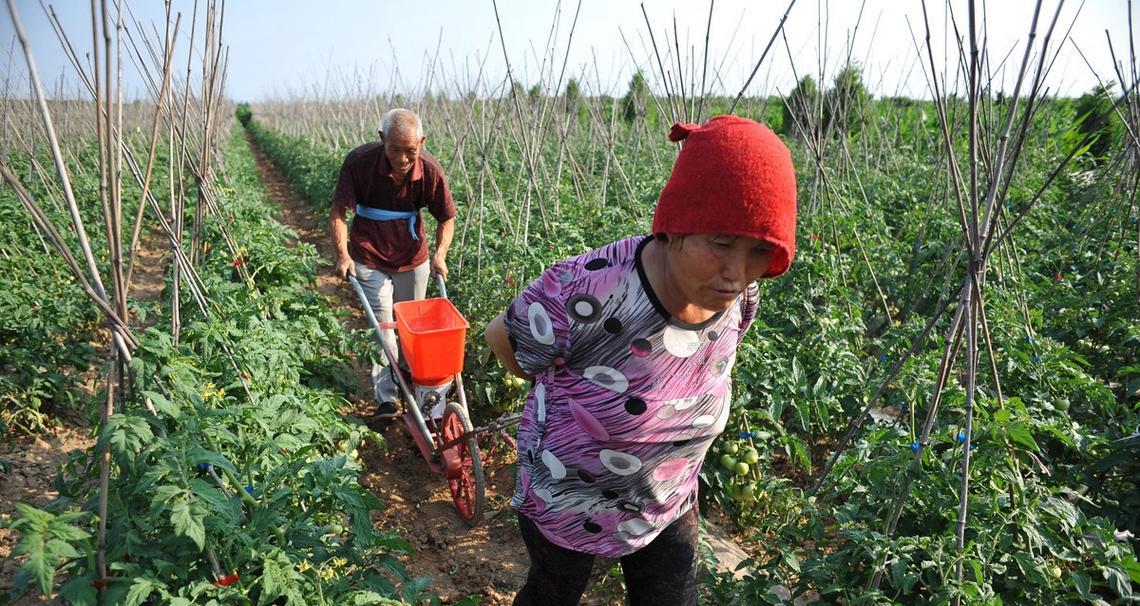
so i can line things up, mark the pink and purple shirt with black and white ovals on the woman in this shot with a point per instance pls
(625, 404)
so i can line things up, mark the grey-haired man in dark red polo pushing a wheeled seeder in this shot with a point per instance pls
(386, 184)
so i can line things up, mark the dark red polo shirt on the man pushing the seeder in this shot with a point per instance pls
(365, 179)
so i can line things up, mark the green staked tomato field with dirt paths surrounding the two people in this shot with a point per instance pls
(939, 404)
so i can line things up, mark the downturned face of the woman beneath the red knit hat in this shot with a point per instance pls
(711, 271)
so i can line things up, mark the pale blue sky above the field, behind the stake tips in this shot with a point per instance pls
(291, 47)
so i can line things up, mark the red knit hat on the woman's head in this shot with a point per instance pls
(734, 177)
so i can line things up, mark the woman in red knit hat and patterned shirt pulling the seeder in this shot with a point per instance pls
(631, 348)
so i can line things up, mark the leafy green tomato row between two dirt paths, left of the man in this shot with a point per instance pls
(242, 488)
